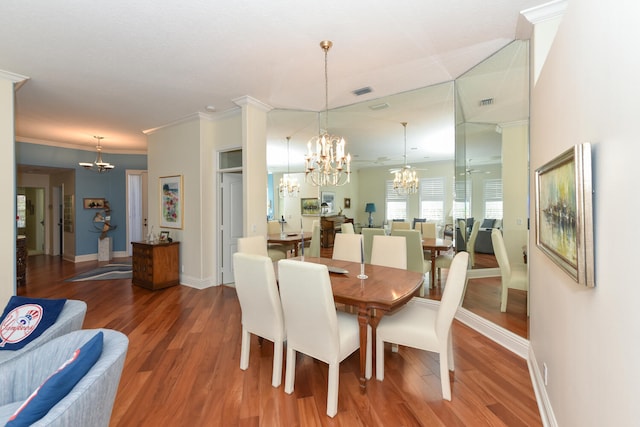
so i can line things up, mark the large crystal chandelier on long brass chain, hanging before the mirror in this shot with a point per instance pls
(328, 165)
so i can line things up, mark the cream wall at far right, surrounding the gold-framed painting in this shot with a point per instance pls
(588, 91)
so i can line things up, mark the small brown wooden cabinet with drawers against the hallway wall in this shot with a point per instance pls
(155, 265)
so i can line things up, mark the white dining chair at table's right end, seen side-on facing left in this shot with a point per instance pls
(426, 326)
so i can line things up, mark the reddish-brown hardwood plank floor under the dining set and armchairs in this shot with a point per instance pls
(182, 366)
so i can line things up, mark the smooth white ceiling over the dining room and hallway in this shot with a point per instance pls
(118, 68)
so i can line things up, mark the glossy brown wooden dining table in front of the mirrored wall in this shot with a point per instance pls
(384, 290)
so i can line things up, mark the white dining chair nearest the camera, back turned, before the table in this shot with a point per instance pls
(313, 325)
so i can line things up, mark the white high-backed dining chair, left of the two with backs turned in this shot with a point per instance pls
(257, 290)
